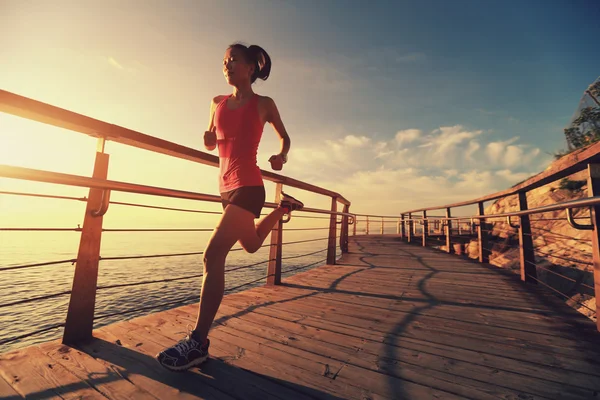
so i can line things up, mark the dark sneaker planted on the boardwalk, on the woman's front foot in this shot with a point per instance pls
(185, 354)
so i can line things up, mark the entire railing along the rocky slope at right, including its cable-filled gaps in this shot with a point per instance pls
(563, 258)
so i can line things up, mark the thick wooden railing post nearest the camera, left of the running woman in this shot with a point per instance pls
(80, 315)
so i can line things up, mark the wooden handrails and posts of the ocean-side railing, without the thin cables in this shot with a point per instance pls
(80, 317)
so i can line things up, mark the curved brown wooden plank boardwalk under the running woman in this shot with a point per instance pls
(390, 321)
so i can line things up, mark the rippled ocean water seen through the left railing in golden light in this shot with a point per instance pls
(21, 248)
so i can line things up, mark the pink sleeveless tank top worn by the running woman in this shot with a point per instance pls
(238, 135)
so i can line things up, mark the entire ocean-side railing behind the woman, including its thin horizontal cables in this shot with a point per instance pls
(81, 313)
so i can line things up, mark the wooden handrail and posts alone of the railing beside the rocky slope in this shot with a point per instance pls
(587, 159)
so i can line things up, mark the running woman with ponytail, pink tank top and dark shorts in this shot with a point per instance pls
(235, 127)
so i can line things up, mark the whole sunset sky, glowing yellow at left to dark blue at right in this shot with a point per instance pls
(393, 104)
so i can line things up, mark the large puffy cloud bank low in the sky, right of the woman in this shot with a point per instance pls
(415, 168)
